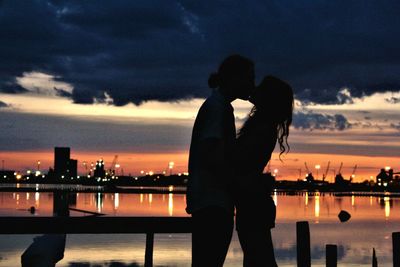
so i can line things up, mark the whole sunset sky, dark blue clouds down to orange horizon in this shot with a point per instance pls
(126, 78)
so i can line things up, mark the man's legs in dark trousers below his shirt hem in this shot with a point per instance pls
(212, 234)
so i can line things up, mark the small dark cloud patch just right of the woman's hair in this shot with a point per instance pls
(317, 121)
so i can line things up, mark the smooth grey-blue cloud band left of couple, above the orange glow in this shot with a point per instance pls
(46, 131)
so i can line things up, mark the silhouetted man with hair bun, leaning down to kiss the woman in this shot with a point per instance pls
(209, 199)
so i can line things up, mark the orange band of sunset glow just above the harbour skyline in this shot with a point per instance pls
(290, 168)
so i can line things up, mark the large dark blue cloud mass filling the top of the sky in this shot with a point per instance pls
(136, 51)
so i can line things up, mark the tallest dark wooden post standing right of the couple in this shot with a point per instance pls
(303, 244)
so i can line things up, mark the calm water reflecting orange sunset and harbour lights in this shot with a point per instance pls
(372, 222)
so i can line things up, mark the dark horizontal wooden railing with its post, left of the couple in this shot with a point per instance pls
(98, 225)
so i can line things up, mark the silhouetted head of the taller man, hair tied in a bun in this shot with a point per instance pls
(235, 77)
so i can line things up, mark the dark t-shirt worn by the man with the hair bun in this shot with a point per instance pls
(215, 120)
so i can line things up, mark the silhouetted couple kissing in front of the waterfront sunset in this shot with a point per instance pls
(226, 168)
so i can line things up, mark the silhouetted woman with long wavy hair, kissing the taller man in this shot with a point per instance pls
(267, 123)
